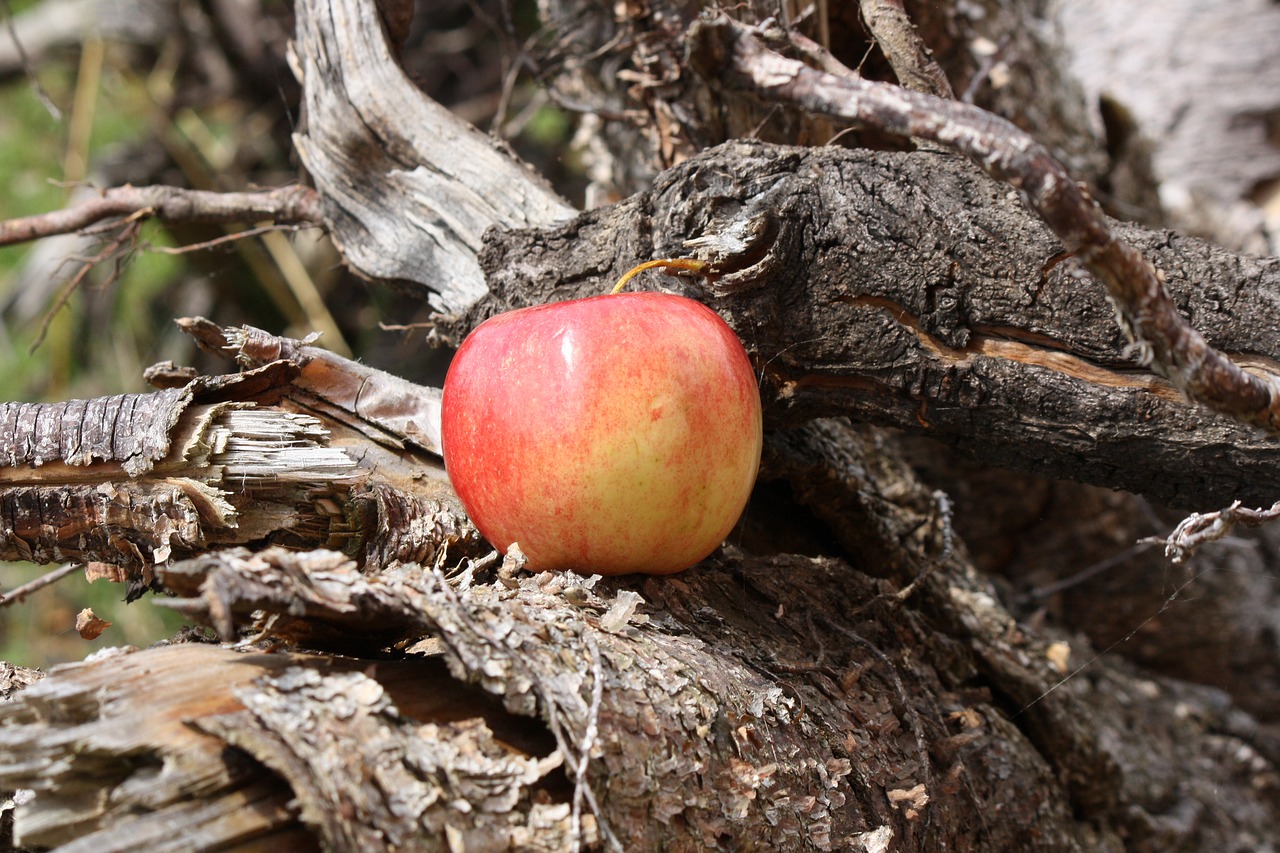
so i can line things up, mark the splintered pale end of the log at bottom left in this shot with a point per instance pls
(156, 729)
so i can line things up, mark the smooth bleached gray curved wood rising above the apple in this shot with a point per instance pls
(409, 188)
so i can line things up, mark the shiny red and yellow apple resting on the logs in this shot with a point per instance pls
(609, 435)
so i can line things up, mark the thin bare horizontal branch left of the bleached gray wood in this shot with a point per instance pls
(285, 206)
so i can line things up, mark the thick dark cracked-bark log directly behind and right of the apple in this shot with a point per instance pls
(911, 290)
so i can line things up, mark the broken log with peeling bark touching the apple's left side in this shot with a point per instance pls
(303, 448)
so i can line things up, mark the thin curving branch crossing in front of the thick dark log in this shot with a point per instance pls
(1160, 336)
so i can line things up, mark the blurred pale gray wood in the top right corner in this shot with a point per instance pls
(1200, 90)
